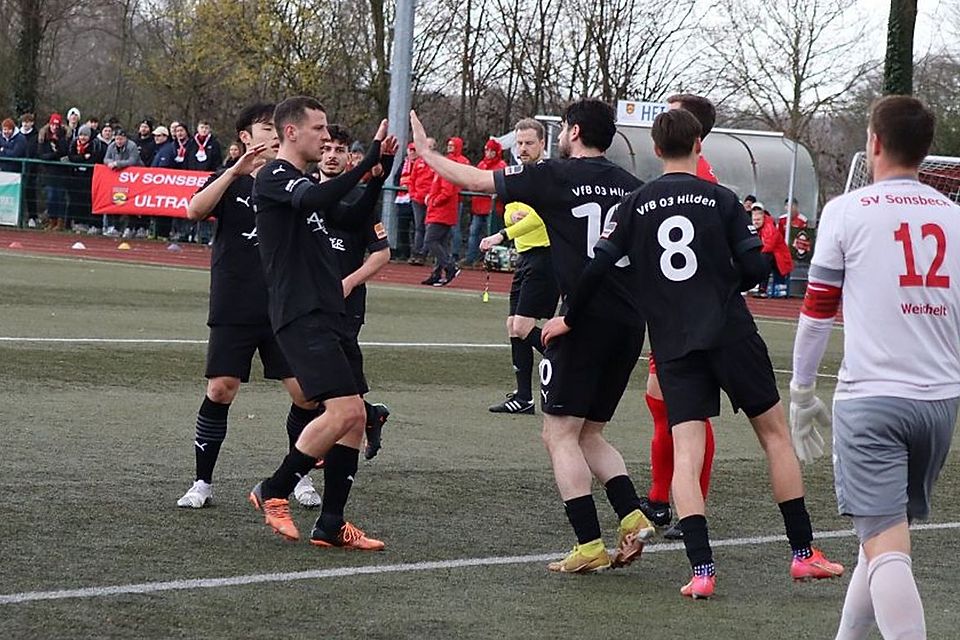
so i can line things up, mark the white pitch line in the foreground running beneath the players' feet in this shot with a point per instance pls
(413, 567)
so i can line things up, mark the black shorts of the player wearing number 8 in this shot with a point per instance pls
(691, 384)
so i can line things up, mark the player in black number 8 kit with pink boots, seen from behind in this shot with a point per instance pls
(694, 249)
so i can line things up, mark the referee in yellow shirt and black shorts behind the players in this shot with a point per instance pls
(534, 292)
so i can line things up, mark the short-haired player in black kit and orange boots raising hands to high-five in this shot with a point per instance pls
(306, 304)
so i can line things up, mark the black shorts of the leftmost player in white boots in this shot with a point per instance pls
(230, 352)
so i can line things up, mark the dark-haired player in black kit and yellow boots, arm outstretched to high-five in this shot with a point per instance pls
(582, 377)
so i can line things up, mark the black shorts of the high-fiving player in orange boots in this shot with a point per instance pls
(313, 345)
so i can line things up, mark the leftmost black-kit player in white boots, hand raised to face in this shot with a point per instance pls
(238, 320)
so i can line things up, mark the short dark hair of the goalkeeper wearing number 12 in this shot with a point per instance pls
(904, 126)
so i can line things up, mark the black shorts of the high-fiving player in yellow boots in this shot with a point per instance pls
(585, 372)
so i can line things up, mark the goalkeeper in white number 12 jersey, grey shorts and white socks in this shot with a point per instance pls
(891, 252)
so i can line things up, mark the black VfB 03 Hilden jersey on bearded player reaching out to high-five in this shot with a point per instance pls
(576, 197)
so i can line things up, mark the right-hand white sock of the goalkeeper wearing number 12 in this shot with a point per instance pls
(896, 601)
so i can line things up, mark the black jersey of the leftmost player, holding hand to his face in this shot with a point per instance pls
(238, 291)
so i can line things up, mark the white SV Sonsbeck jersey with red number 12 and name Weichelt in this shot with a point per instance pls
(894, 249)
